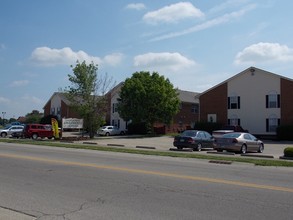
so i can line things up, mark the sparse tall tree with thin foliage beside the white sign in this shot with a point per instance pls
(87, 95)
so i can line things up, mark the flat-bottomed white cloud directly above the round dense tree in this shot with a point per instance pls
(163, 62)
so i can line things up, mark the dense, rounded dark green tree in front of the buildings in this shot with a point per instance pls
(148, 98)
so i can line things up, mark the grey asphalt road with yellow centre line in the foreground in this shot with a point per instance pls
(54, 183)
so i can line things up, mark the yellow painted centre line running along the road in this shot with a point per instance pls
(130, 170)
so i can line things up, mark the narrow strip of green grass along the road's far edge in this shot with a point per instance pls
(258, 161)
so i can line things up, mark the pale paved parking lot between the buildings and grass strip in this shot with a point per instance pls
(273, 149)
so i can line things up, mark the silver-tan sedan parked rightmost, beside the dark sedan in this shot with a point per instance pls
(240, 142)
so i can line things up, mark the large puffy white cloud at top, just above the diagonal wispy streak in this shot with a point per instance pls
(173, 13)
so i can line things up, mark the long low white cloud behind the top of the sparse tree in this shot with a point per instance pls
(66, 56)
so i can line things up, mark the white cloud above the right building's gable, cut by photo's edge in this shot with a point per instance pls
(264, 52)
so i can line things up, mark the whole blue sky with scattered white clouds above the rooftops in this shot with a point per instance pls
(195, 44)
